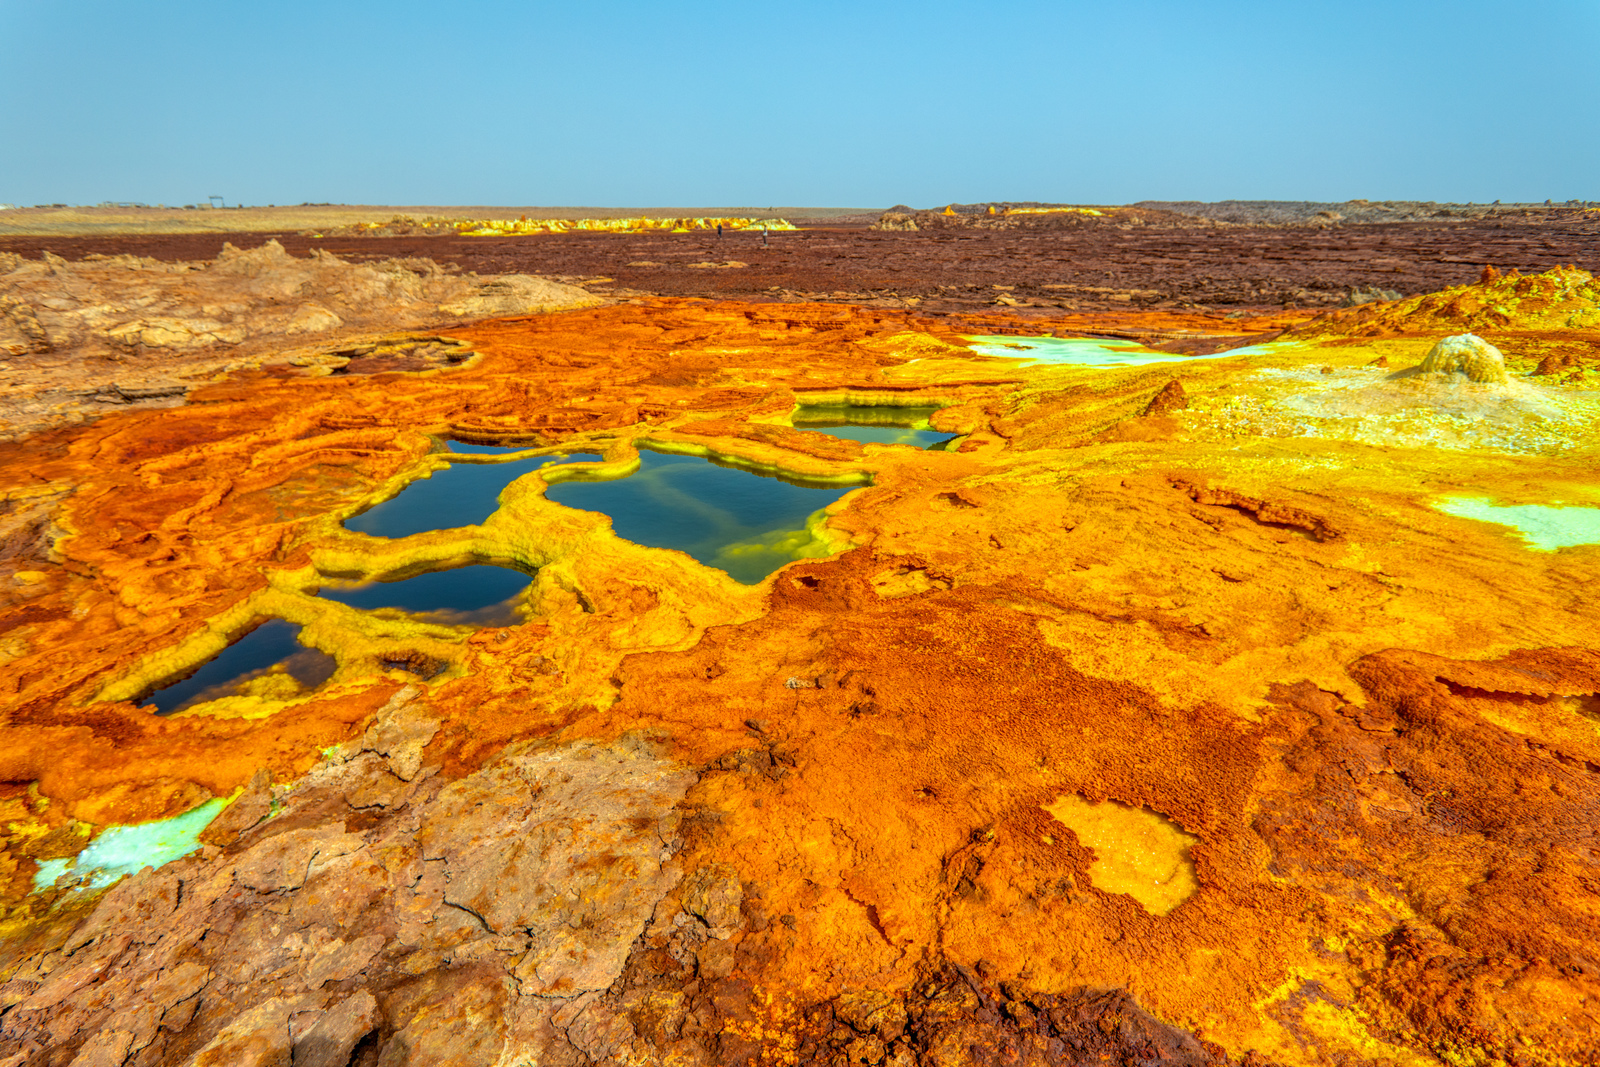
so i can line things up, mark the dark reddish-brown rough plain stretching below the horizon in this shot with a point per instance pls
(958, 271)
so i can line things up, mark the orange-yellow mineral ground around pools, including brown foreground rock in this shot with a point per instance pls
(1239, 708)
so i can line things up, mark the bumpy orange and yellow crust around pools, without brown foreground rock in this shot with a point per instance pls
(1375, 722)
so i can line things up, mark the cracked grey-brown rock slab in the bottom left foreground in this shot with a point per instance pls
(372, 901)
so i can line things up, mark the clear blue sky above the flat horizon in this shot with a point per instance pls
(807, 103)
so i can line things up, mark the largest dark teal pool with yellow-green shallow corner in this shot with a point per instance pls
(724, 516)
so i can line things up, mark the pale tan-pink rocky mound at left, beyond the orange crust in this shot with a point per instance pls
(113, 326)
